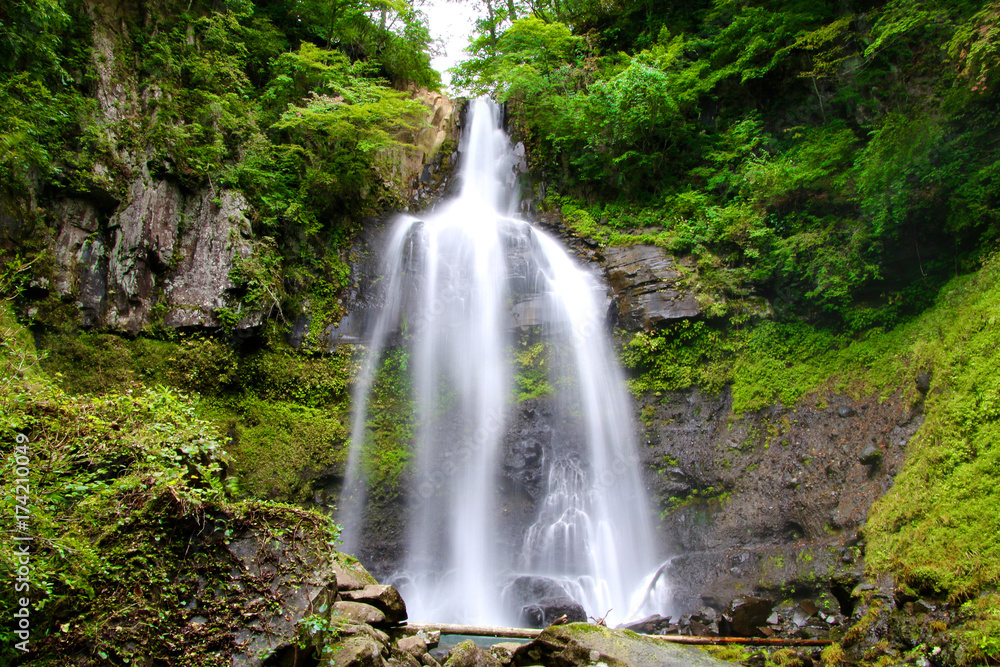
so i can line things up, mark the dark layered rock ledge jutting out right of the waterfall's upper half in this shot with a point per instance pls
(646, 283)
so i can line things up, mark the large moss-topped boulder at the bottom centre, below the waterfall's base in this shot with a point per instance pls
(585, 644)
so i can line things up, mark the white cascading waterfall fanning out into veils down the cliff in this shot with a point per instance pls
(450, 289)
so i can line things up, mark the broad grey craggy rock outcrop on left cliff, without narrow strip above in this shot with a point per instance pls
(142, 257)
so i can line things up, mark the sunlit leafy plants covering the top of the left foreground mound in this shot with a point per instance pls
(88, 455)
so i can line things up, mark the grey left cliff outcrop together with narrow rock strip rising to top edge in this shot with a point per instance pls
(142, 248)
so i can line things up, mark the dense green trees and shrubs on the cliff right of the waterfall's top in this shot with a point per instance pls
(795, 150)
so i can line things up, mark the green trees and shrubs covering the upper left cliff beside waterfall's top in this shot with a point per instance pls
(299, 105)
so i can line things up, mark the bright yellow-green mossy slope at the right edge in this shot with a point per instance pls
(944, 500)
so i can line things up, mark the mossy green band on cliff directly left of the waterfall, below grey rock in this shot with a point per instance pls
(286, 412)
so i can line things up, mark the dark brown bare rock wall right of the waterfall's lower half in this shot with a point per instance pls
(769, 505)
